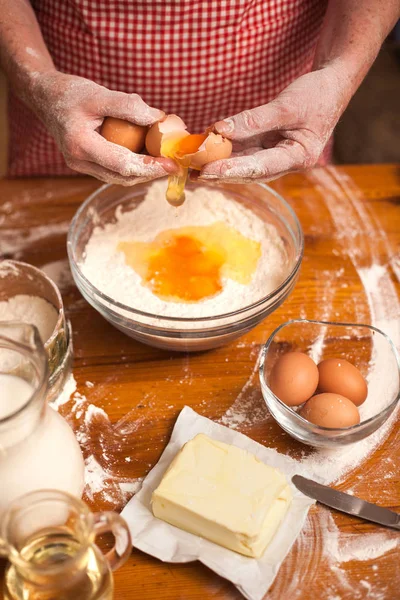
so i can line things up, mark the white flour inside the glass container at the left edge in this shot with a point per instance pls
(32, 310)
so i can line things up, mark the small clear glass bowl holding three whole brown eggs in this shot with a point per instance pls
(366, 347)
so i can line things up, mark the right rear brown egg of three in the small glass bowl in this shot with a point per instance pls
(338, 376)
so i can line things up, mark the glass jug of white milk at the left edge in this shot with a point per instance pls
(38, 449)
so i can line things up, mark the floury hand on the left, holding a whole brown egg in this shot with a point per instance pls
(73, 109)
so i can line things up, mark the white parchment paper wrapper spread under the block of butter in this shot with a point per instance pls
(251, 576)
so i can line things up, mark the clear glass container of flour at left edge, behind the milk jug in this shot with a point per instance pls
(21, 278)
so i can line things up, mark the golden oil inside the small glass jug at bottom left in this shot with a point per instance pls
(59, 567)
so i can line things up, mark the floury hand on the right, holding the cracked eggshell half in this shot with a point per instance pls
(287, 134)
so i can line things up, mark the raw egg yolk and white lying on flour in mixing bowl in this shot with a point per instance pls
(190, 264)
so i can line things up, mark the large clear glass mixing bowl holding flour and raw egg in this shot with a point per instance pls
(174, 333)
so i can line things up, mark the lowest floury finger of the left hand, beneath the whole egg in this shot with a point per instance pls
(122, 161)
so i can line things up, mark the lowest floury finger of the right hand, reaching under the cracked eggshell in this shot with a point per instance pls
(263, 165)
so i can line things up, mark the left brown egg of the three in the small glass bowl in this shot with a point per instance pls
(294, 378)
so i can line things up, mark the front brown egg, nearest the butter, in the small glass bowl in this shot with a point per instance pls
(330, 410)
